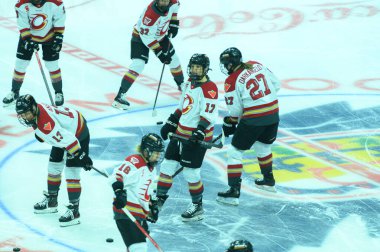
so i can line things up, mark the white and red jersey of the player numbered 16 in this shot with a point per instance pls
(137, 178)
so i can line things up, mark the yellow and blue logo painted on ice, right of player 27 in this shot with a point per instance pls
(325, 154)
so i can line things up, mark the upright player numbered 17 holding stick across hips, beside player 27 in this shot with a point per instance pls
(194, 118)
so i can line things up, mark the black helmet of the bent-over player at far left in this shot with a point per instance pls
(24, 104)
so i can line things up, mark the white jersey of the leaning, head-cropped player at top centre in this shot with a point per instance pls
(152, 27)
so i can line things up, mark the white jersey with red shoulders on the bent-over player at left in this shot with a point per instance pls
(60, 126)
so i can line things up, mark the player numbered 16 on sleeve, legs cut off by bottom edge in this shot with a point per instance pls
(132, 184)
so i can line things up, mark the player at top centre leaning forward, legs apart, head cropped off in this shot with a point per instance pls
(156, 25)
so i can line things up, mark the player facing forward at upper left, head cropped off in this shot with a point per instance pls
(39, 22)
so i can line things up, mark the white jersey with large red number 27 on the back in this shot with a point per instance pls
(252, 94)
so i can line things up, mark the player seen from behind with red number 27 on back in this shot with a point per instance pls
(251, 99)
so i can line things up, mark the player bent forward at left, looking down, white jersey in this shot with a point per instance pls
(66, 130)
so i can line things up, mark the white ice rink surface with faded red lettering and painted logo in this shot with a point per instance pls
(326, 157)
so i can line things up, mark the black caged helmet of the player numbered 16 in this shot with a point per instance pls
(152, 142)
